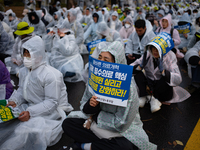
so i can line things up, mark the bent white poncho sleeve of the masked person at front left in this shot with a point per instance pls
(50, 102)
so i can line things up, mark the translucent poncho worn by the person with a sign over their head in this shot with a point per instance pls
(169, 64)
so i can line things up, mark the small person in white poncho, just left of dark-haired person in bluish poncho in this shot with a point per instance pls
(86, 19)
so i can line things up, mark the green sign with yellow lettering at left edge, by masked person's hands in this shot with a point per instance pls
(5, 112)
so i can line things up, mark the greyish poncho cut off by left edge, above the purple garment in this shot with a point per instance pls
(6, 42)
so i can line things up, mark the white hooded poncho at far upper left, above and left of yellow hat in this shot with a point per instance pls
(13, 24)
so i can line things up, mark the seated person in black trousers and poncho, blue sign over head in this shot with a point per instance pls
(162, 76)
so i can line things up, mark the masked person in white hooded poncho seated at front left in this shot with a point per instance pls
(43, 94)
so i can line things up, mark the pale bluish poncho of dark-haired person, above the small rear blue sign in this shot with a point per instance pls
(91, 34)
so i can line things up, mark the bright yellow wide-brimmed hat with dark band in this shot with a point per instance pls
(23, 28)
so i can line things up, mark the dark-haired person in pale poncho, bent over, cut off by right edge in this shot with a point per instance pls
(192, 57)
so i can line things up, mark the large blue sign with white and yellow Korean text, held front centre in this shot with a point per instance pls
(110, 82)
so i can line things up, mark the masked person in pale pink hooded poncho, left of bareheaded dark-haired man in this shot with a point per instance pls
(127, 29)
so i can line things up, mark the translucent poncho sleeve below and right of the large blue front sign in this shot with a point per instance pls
(123, 117)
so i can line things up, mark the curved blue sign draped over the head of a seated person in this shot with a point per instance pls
(164, 41)
